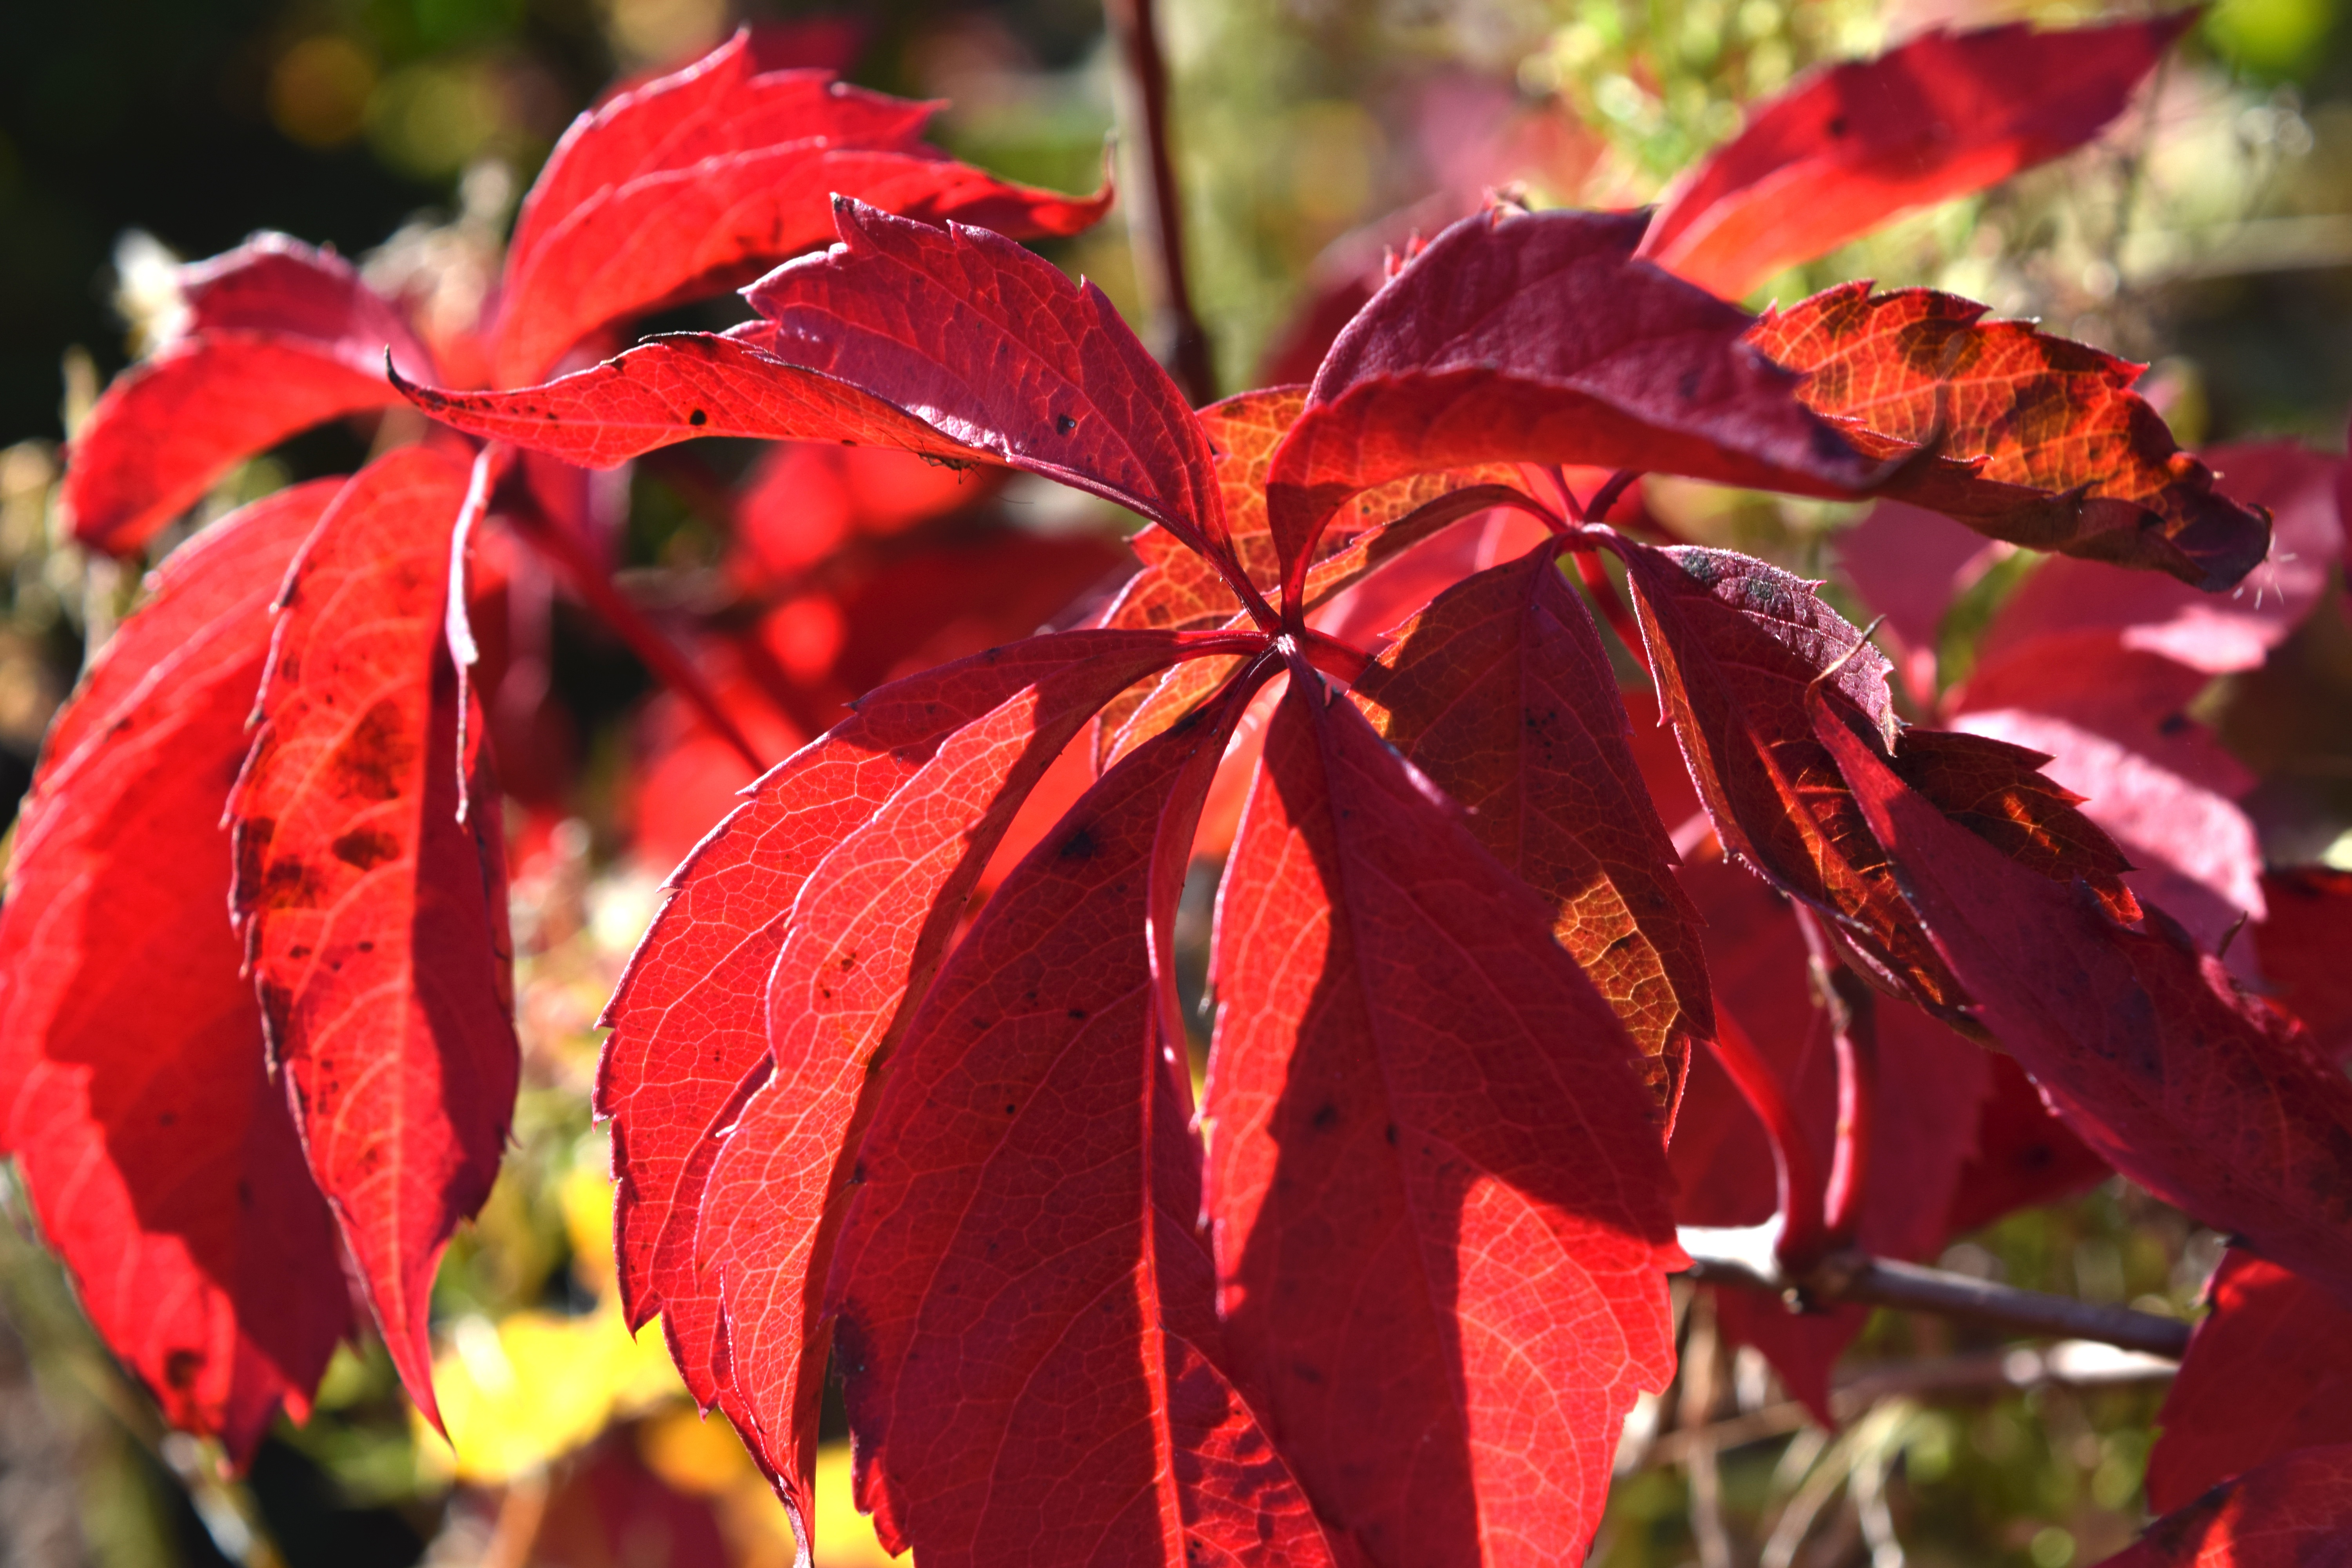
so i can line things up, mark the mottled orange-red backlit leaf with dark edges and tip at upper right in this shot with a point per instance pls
(2038, 441)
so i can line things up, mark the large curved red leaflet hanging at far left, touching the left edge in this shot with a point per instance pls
(152, 1141)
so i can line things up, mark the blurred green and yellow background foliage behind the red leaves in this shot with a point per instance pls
(2214, 234)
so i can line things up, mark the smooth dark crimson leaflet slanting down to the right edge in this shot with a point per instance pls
(2196, 1092)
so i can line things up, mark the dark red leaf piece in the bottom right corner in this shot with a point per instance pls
(2292, 1513)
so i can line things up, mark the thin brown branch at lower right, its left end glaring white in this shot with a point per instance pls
(1883, 1282)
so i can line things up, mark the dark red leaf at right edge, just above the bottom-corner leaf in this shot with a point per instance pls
(2269, 1372)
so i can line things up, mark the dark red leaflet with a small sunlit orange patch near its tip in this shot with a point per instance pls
(1504, 697)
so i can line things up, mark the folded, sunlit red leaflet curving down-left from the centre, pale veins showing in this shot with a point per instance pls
(874, 836)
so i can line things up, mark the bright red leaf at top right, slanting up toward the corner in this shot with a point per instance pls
(1862, 142)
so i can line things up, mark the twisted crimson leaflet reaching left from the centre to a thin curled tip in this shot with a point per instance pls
(949, 342)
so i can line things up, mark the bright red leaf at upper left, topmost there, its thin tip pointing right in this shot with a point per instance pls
(709, 177)
